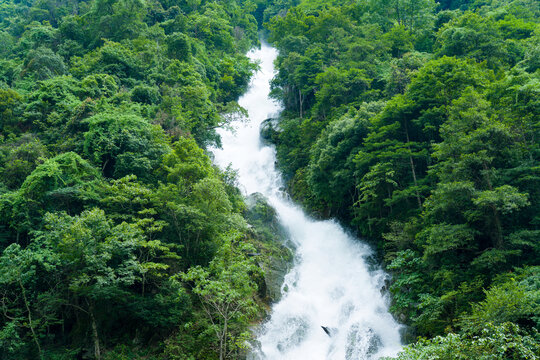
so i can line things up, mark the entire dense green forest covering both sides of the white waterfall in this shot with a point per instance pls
(413, 122)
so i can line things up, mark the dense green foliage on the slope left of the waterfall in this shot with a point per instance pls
(106, 195)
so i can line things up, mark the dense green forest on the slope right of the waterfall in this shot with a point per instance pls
(417, 123)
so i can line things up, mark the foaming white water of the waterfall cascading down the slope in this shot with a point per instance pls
(330, 283)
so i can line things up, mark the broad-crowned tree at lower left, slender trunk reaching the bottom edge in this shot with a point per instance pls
(97, 260)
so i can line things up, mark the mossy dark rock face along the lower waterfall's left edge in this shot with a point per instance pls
(275, 257)
